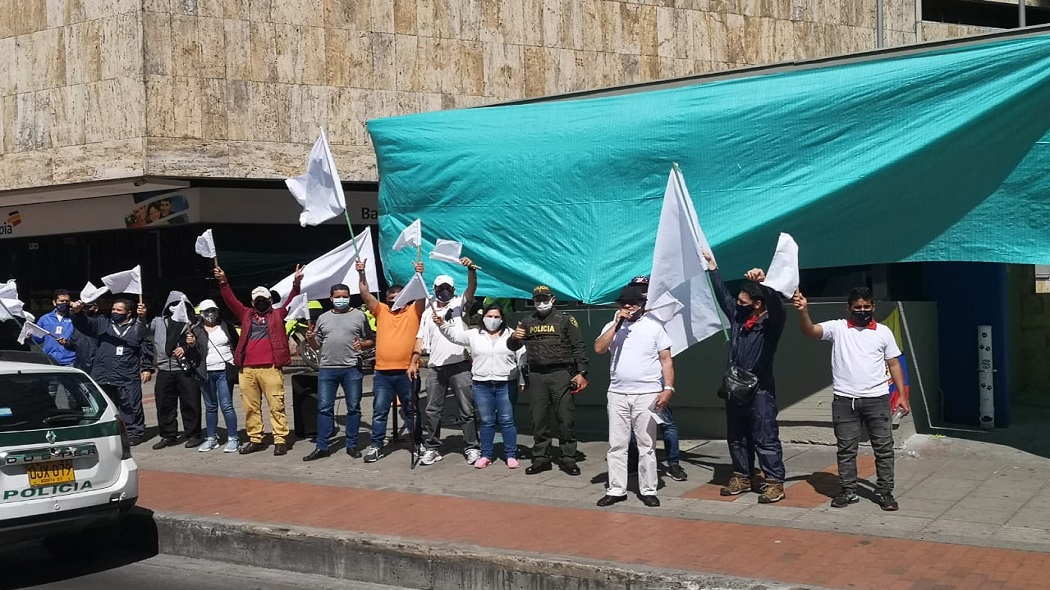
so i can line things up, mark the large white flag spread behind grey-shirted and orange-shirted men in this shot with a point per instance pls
(335, 267)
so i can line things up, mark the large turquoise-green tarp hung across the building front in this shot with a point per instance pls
(937, 156)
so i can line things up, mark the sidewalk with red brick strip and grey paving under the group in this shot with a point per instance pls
(973, 515)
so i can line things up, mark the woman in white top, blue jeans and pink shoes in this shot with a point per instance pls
(493, 367)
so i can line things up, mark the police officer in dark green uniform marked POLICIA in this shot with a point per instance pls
(558, 371)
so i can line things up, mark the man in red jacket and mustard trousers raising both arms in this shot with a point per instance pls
(261, 353)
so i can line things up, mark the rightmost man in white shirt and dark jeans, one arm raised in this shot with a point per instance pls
(862, 352)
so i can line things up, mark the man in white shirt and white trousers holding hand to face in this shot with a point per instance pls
(641, 385)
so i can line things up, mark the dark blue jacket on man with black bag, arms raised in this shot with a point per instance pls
(753, 349)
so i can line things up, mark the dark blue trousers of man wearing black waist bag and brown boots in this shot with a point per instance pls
(753, 430)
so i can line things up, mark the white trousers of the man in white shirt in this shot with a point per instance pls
(629, 413)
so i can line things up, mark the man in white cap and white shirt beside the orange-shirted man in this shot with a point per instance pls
(450, 368)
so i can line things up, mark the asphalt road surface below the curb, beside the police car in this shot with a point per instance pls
(33, 566)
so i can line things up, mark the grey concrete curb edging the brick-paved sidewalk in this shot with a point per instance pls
(398, 562)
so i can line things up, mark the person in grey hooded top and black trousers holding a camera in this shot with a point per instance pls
(177, 386)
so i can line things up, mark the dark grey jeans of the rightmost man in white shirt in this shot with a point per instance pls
(850, 416)
